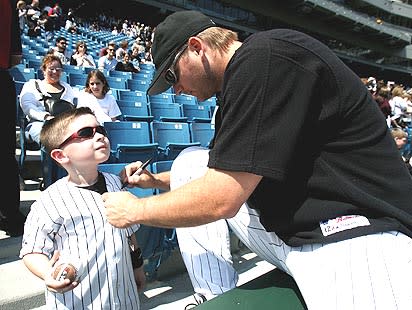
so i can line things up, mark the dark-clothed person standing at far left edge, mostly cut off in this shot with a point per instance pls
(11, 220)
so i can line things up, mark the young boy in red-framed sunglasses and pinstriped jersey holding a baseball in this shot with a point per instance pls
(68, 220)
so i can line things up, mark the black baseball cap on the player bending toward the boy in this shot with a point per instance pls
(170, 35)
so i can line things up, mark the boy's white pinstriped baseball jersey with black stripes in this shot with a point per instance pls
(72, 220)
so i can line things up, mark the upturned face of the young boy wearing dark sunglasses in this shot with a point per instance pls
(91, 148)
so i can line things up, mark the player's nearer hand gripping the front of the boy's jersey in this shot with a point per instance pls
(120, 208)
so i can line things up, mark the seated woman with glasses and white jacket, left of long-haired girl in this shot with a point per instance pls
(35, 91)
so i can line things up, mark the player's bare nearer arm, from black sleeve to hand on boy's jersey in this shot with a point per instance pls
(217, 195)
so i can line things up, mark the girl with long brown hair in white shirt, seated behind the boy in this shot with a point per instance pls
(96, 96)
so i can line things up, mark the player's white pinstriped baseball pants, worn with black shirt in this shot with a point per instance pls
(368, 272)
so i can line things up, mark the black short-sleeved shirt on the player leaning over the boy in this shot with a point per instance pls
(294, 113)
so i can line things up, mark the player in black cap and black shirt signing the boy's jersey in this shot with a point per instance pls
(303, 166)
